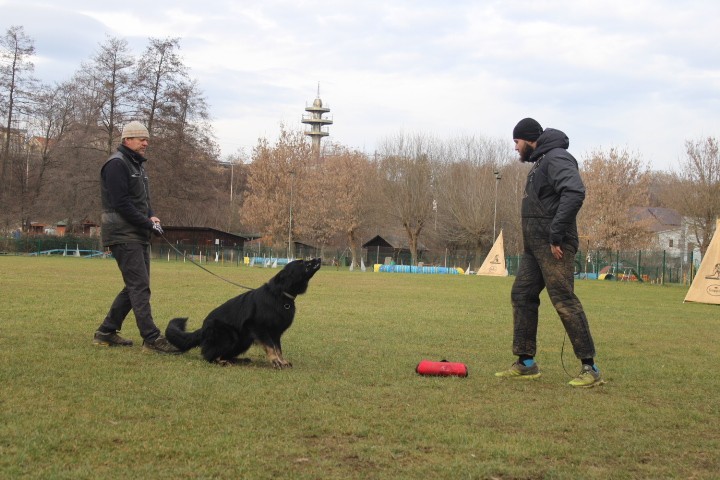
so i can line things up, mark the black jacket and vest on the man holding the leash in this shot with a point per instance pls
(125, 194)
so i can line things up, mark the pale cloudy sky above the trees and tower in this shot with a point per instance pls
(641, 75)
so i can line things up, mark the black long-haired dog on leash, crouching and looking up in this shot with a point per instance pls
(258, 316)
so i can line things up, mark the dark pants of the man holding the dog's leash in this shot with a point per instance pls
(133, 259)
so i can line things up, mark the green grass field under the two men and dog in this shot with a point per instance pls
(352, 407)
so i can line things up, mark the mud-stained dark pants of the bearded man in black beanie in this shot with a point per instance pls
(539, 269)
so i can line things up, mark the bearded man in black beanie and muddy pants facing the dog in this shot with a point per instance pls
(554, 193)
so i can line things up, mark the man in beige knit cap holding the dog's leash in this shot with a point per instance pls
(127, 223)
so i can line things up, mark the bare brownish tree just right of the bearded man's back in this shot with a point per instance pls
(615, 182)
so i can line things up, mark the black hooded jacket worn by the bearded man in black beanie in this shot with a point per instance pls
(554, 190)
